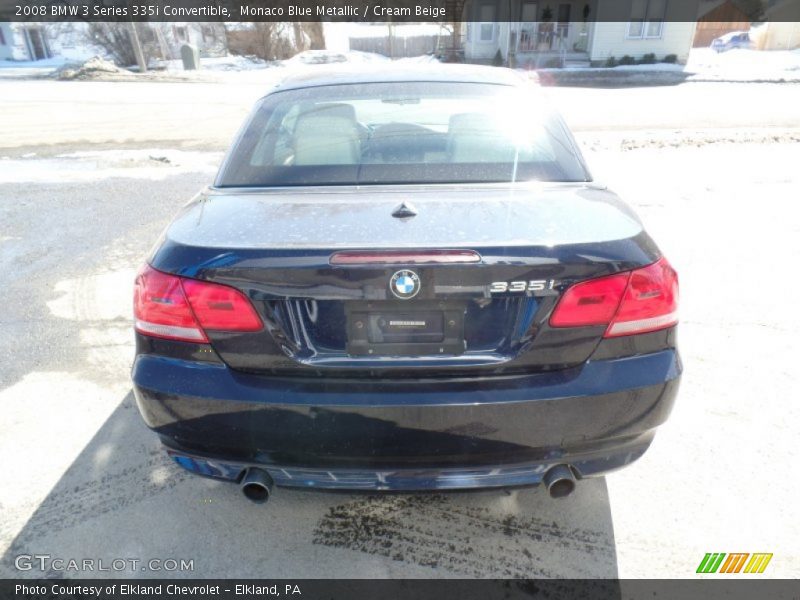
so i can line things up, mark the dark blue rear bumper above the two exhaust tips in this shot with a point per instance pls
(407, 434)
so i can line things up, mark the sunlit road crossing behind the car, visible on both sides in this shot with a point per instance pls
(205, 115)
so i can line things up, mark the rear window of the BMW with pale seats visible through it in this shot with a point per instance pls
(388, 133)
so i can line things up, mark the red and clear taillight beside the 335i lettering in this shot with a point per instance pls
(632, 302)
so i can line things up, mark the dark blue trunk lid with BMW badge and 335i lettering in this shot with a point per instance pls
(279, 247)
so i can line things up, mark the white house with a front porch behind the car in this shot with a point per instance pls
(576, 32)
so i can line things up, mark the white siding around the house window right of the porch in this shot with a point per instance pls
(611, 39)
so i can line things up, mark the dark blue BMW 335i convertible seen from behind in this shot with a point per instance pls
(405, 280)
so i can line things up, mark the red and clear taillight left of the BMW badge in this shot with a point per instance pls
(175, 308)
